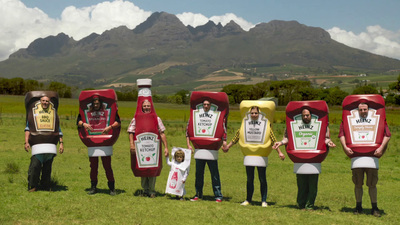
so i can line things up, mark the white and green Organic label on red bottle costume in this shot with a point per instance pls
(305, 136)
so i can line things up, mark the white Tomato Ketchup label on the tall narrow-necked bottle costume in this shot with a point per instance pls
(147, 150)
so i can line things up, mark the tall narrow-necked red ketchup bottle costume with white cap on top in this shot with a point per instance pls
(147, 162)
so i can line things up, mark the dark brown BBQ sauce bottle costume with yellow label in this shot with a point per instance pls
(43, 124)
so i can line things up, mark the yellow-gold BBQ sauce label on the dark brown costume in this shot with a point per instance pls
(44, 119)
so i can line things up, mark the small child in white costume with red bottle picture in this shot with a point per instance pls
(180, 166)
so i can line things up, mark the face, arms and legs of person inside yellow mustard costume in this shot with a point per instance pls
(262, 176)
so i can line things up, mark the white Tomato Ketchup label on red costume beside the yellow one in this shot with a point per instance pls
(205, 123)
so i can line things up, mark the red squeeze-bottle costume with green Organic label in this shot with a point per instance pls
(306, 146)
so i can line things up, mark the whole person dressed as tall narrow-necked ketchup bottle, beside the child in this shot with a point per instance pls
(145, 132)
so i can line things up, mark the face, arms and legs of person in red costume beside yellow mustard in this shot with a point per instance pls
(212, 164)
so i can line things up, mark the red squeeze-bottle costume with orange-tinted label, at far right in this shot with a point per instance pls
(364, 136)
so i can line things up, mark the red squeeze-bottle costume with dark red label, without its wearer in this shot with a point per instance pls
(98, 144)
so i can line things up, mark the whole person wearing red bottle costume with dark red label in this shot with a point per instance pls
(99, 126)
